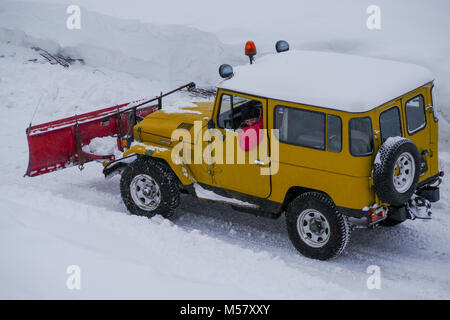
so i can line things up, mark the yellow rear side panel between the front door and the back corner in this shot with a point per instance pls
(340, 175)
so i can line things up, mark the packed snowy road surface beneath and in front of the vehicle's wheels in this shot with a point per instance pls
(208, 251)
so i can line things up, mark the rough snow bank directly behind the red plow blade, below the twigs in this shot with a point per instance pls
(62, 91)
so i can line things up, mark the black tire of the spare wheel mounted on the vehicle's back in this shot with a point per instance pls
(385, 166)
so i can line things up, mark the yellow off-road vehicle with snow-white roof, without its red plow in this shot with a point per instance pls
(342, 141)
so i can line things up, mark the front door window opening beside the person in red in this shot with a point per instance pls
(234, 110)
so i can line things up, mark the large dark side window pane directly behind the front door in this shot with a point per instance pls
(300, 127)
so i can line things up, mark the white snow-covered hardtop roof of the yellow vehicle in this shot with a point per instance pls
(330, 80)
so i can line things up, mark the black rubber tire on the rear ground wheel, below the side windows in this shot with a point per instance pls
(338, 234)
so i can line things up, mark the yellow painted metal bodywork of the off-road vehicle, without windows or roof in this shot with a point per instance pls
(345, 178)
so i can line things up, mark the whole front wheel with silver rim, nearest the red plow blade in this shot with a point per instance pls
(149, 187)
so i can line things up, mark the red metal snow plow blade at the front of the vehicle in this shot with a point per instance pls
(59, 144)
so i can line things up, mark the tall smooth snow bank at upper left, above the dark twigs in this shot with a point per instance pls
(172, 53)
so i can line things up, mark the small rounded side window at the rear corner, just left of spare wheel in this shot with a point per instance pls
(361, 138)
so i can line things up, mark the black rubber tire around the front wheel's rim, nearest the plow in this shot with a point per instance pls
(162, 176)
